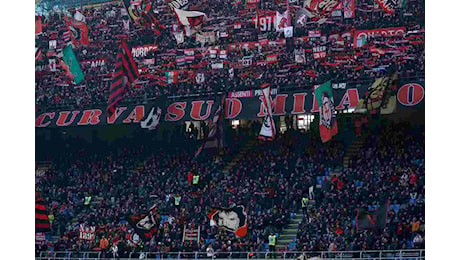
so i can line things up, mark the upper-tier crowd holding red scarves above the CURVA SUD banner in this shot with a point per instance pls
(343, 62)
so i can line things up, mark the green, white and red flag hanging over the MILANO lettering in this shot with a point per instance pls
(327, 117)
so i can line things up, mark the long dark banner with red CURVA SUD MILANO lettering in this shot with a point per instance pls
(239, 105)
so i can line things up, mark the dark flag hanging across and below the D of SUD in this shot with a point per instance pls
(214, 140)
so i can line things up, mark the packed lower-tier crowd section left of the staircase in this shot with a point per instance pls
(131, 179)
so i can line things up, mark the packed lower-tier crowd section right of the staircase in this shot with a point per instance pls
(390, 166)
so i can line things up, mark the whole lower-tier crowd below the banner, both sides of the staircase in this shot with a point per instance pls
(270, 181)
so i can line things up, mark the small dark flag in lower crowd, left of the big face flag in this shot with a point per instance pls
(146, 225)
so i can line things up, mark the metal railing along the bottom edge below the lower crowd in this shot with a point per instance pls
(371, 254)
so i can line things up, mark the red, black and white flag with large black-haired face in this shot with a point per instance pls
(233, 219)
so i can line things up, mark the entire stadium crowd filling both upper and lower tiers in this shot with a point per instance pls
(101, 189)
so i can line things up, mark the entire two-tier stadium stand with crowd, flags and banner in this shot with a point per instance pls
(230, 129)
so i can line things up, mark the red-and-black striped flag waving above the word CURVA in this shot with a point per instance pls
(125, 72)
